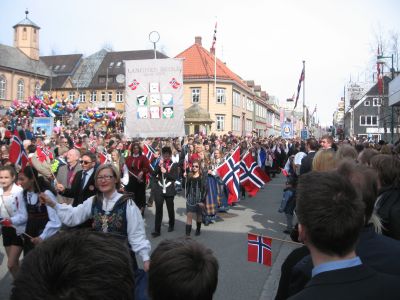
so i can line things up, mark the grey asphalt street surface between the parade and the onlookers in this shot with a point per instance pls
(238, 279)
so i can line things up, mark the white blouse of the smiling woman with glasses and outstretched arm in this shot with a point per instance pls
(73, 216)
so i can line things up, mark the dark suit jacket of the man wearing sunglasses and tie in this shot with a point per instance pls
(77, 193)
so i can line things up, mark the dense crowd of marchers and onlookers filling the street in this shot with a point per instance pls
(80, 178)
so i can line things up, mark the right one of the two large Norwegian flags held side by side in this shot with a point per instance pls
(252, 177)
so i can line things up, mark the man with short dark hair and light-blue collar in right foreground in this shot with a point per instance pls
(331, 215)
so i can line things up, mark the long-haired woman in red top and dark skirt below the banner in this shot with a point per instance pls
(138, 167)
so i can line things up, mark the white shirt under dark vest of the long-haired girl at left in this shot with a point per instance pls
(52, 225)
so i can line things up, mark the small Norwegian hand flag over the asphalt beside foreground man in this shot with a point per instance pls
(259, 249)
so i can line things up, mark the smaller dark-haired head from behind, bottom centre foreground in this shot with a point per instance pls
(182, 269)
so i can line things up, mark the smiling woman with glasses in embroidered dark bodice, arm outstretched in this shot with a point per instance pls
(111, 213)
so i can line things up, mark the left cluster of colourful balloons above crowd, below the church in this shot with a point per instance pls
(43, 106)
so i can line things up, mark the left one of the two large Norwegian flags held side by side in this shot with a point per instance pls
(229, 172)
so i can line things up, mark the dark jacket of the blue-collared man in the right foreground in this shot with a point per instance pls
(355, 283)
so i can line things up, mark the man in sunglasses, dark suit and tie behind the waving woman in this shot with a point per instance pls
(83, 181)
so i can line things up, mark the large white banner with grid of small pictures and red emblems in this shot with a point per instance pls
(154, 102)
